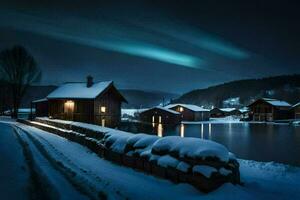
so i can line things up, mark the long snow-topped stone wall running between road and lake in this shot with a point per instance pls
(191, 160)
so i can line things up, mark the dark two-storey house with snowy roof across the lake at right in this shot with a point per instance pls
(266, 109)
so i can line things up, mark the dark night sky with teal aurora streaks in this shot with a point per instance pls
(172, 46)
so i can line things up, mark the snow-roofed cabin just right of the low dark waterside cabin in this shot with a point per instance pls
(190, 112)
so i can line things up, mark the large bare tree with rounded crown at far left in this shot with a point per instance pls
(19, 71)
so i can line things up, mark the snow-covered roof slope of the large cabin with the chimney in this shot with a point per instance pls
(79, 90)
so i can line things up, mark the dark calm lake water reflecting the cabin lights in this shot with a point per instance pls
(252, 141)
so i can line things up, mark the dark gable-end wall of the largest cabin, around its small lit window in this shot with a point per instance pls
(112, 115)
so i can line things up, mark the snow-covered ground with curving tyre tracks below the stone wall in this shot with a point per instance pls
(73, 171)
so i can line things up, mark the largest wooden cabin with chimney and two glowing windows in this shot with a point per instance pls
(97, 103)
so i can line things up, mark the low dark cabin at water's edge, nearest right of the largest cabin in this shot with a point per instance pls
(160, 115)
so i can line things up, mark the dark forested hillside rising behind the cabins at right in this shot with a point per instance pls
(285, 87)
